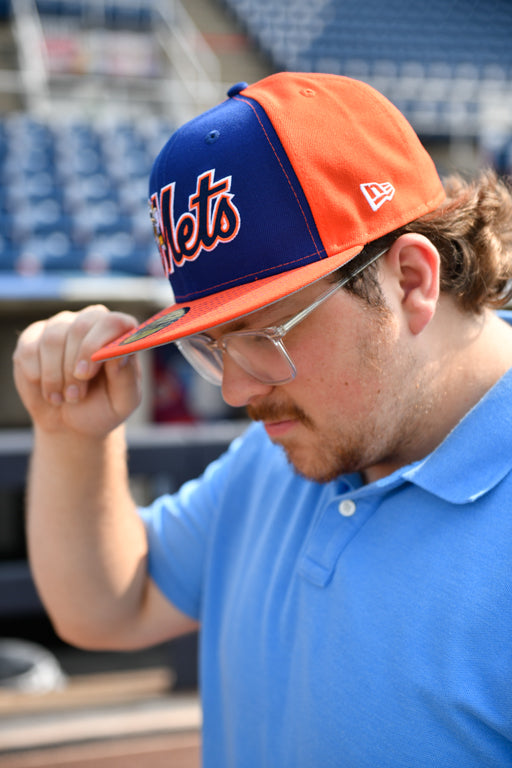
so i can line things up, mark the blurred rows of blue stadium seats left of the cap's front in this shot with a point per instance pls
(73, 196)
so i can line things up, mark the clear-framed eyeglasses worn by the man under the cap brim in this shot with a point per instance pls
(260, 353)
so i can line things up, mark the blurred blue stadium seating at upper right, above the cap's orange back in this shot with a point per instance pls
(440, 62)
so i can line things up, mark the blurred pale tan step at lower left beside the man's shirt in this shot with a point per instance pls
(107, 706)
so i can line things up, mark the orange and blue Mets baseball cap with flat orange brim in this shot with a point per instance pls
(276, 187)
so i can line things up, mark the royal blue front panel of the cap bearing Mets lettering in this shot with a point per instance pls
(228, 208)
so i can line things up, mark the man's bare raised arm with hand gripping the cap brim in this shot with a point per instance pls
(87, 545)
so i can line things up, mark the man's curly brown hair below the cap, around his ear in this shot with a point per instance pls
(472, 230)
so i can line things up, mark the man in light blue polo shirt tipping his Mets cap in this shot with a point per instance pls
(348, 560)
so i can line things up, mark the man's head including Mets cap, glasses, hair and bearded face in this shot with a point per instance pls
(260, 206)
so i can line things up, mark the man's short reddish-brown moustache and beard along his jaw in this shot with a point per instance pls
(368, 429)
